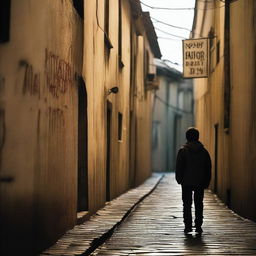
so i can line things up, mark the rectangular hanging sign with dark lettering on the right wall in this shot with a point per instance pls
(195, 58)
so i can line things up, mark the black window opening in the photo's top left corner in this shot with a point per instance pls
(5, 15)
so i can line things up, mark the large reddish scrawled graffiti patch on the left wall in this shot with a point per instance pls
(59, 74)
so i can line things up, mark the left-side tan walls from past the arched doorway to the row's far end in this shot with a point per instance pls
(103, 71)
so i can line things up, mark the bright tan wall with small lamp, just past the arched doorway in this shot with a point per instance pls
(102, 73)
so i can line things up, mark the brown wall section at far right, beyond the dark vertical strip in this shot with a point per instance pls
(243, 129)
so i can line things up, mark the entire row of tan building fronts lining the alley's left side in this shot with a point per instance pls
(75, 117)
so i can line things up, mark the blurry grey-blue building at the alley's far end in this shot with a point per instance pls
(172, 115)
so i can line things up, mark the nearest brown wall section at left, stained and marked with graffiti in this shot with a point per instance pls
(39, 113)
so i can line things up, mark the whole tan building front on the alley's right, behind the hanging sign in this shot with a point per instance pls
(225, 101)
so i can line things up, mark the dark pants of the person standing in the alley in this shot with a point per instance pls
(187, 192)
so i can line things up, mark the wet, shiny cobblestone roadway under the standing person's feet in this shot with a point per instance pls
(155, 227)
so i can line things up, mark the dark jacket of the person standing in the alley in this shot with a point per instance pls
(193, 165)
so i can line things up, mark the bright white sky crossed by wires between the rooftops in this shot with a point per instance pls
(170, 45)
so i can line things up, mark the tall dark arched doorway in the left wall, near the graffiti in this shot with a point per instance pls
(82, 200)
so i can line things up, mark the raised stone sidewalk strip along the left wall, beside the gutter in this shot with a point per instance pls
(85, 238)
